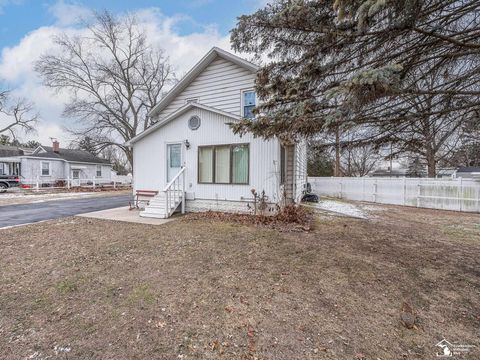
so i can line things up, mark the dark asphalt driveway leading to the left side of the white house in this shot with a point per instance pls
(12, 215)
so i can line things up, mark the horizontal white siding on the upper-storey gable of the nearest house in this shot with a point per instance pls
(220, 86)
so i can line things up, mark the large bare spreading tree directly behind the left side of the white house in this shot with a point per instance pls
(114, 77)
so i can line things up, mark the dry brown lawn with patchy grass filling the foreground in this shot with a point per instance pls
(205, 289)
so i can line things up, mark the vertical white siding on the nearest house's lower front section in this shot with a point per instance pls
(263, 159)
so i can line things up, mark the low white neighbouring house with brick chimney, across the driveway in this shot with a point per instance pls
(48, 165)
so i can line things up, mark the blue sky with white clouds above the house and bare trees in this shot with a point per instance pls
(186, 30)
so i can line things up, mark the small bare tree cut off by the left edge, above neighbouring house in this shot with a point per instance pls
(15, 115)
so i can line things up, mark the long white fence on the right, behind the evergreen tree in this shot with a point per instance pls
(448, 194)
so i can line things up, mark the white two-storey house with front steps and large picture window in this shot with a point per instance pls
(191, 152)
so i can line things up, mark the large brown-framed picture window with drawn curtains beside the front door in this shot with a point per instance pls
(223, 164)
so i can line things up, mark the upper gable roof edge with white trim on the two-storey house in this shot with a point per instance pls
(196, 70)
